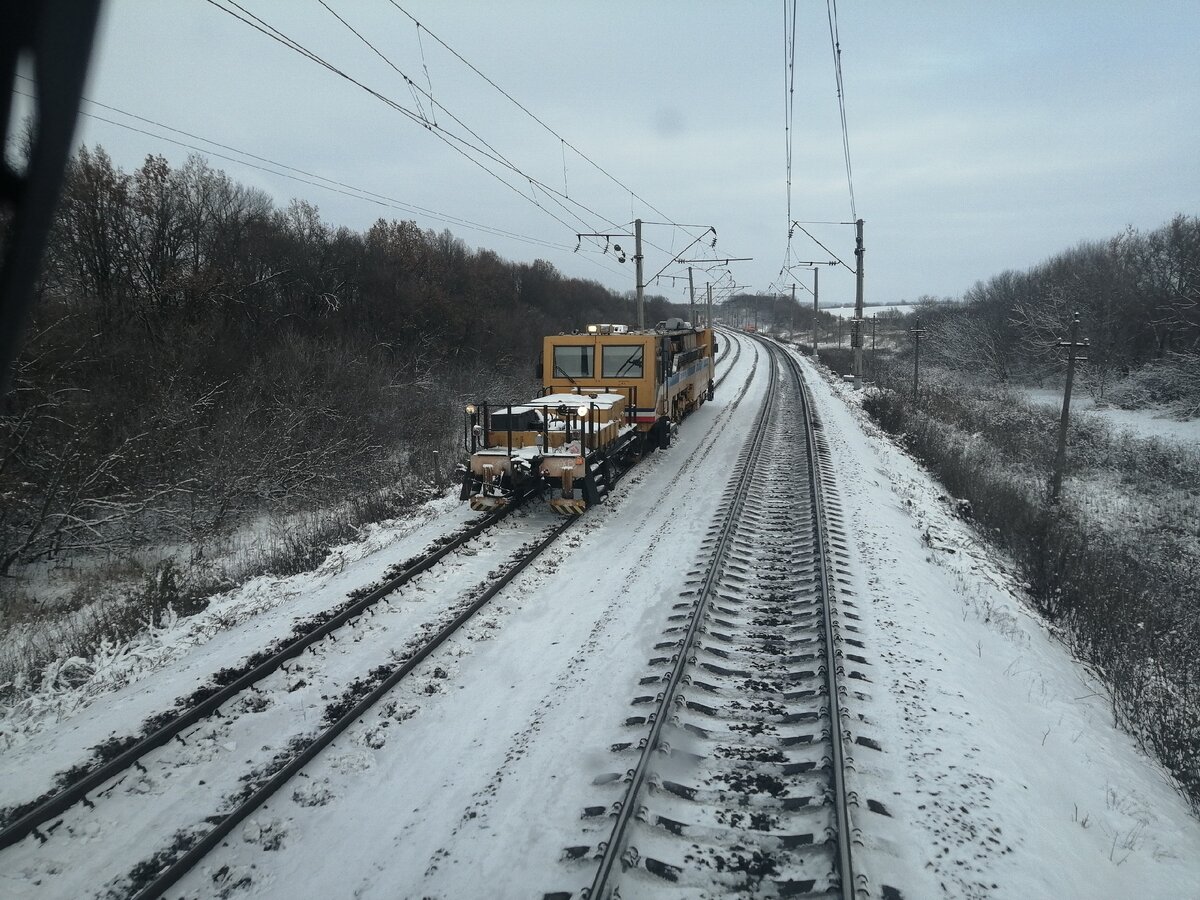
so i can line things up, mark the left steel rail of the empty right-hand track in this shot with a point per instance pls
(614, 849)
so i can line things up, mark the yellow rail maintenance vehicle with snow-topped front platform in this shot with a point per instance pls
(610, 397)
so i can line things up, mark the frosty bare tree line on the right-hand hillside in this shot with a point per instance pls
(1138, 298)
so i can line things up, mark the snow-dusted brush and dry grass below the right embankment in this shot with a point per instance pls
(1115, 569)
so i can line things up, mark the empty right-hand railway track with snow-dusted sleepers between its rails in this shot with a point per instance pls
(736, 783)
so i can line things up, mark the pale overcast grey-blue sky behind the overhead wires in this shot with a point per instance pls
(983, 136)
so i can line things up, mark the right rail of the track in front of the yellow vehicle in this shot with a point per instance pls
(179, 868)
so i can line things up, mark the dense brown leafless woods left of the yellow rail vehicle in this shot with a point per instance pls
(197, 356)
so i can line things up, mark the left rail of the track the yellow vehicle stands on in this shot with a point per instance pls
(27, 824)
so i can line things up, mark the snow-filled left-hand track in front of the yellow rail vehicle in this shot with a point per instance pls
(203, 760)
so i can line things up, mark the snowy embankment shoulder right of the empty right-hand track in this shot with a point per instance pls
(1005, 773)
